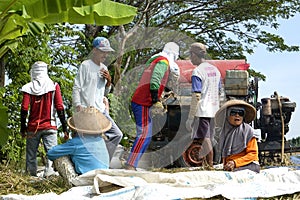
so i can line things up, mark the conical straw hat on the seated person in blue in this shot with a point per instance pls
(90, 121)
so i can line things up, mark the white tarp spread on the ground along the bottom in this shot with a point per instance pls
(145, 185)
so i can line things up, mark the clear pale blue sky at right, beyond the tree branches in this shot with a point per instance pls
(282, 71)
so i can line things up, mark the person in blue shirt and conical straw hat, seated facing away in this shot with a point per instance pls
(87, 150)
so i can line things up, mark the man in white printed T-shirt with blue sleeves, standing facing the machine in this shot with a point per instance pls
(206, 85)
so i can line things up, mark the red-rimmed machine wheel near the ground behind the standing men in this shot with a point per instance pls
(191, 157)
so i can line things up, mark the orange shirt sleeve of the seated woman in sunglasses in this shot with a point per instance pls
(247, 156)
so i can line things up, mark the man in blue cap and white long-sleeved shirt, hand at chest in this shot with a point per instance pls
(92, 84)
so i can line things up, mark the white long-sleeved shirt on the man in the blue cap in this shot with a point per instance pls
(89, 87)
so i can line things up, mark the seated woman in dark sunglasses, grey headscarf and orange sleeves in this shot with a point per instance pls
(238, 144)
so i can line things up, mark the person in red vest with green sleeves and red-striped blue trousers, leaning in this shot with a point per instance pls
(147, 95)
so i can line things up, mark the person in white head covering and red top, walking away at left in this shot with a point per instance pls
(44, 99)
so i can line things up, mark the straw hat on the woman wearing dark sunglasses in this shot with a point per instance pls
(249, 109)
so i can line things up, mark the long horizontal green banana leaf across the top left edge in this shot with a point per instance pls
(98, 12)
